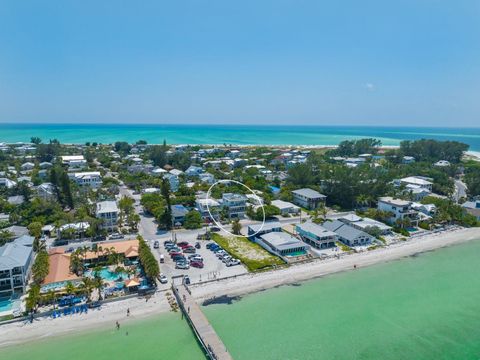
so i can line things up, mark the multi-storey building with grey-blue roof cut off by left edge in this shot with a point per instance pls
(15, 264)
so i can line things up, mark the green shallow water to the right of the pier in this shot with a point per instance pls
(427, 307)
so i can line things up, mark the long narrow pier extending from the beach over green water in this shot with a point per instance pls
(206, 335)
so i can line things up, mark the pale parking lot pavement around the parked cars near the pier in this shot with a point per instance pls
(213, 266)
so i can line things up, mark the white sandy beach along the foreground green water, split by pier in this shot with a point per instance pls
(21, 332)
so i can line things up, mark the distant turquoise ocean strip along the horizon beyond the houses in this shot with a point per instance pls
(230, 134)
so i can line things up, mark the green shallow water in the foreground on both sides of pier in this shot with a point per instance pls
(423, 307)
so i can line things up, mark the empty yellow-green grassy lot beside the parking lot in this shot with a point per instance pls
(252, 255)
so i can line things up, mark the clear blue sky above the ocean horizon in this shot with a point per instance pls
(342, 62)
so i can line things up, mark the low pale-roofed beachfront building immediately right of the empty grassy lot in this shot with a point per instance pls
(282, 244)
